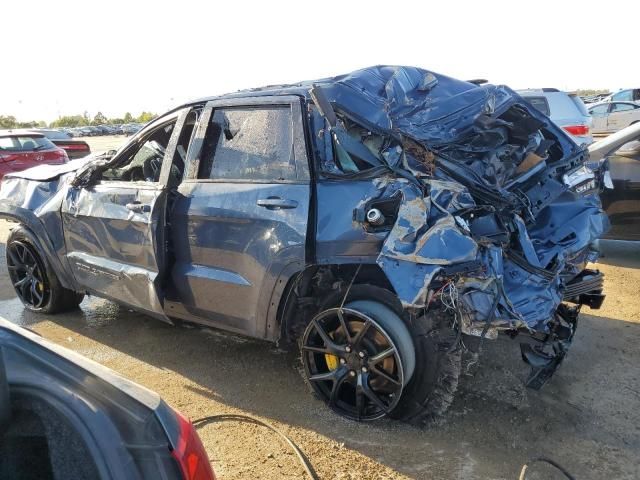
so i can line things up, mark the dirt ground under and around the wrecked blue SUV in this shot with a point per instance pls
(587, 417)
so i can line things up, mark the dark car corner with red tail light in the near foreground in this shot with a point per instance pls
(63, 416)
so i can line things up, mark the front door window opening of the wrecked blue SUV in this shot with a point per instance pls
(143, 163)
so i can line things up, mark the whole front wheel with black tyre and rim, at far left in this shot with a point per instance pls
(34, 281)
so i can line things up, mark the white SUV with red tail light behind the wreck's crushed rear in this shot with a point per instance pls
(565, 109)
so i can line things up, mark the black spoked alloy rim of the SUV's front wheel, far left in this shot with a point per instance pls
(27, 275)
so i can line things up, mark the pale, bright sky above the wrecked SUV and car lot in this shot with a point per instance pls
(66, 57)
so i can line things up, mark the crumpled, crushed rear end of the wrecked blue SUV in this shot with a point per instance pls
(491, 210)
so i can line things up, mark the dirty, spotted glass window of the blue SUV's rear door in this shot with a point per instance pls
(249, 143)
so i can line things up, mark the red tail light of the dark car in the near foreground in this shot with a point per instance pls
(190, 453)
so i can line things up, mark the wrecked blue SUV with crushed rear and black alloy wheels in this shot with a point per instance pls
(385, 220)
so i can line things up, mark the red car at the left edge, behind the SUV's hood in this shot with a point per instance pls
(19, 151)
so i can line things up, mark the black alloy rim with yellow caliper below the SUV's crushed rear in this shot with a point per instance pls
(353, 364)
